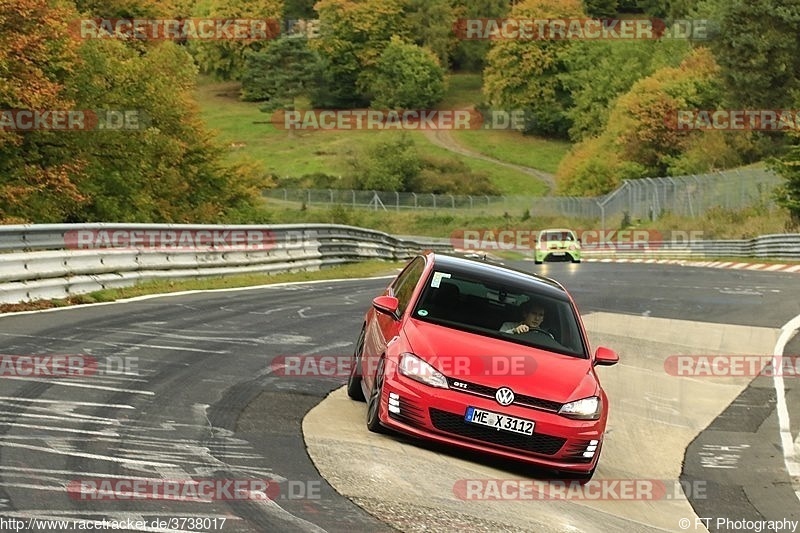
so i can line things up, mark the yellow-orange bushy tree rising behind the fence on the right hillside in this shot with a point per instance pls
(640, 138)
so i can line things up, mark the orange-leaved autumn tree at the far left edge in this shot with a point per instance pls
(36, 52)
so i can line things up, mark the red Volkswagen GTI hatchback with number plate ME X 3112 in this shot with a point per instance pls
(483, 357)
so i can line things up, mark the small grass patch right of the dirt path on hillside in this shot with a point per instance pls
(514, 147)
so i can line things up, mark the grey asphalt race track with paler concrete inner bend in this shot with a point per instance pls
(188, 388)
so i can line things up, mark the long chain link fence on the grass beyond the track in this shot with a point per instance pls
(647, 198)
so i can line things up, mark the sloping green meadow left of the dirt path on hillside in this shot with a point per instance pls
(251, 138)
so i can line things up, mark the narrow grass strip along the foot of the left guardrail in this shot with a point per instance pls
(355, 270)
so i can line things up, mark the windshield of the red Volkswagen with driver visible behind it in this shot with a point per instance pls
(468, 303)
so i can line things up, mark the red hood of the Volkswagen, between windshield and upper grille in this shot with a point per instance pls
(498, 363)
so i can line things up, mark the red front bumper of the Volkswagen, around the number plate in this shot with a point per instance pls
(438, 415)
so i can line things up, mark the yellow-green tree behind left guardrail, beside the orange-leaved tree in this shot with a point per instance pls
(167, 168)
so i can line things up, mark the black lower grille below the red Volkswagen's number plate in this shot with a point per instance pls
(536, 443)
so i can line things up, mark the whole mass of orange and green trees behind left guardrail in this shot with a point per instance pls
(167, 170)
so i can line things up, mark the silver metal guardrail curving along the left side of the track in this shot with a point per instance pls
(44, 261)
